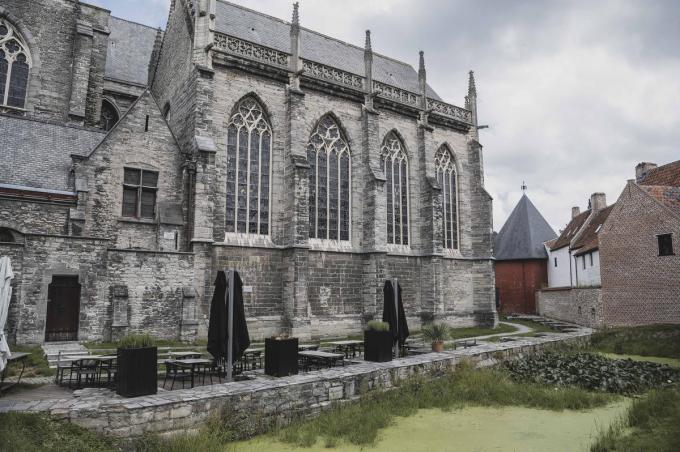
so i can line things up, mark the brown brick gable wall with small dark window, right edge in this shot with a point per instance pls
(639, 286)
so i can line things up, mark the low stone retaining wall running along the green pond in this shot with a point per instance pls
(267, 400)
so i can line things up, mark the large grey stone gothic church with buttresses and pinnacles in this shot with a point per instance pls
(135, 163)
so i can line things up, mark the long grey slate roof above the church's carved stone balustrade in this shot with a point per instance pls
(240, 22)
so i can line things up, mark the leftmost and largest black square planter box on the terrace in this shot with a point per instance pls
(137, 373)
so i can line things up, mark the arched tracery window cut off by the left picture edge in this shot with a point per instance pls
(15, 64)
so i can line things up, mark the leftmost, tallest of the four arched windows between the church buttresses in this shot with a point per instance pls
(249, 144)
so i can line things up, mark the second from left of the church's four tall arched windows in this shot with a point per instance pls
(329, 182)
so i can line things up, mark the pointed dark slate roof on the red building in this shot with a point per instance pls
(523, 234)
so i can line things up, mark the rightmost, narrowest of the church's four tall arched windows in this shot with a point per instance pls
(446, 175)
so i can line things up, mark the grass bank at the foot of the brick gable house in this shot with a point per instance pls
(654, 340)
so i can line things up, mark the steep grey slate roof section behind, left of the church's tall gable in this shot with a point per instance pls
(129, 51)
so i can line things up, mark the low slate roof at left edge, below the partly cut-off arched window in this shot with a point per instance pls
(36, 153)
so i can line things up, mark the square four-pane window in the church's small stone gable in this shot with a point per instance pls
(139, 193)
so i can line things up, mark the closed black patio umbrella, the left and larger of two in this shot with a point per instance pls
(218, 326)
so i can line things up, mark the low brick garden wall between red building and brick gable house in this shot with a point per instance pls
(581, 306)
